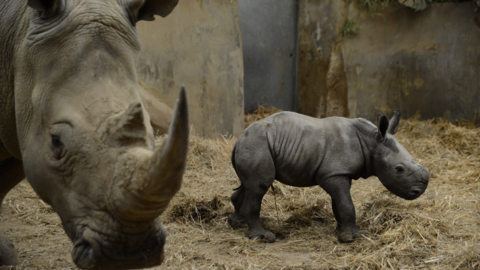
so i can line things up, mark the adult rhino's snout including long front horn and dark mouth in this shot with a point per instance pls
(130, 235)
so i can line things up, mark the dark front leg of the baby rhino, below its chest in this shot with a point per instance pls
(342, 205)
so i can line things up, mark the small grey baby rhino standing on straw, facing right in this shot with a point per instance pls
(302, 151)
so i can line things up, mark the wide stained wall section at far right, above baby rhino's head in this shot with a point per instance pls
(426, 62)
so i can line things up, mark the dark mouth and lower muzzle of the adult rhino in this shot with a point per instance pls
(121, 251)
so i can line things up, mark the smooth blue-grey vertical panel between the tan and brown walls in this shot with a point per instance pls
(269, 33)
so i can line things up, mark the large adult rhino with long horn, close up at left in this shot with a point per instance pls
(72, 122)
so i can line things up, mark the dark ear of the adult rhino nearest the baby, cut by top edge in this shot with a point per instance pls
(146, 9)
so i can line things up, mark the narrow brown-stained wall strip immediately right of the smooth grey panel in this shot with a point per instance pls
(319, 29)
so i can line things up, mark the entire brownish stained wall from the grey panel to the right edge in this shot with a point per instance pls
(426, 62)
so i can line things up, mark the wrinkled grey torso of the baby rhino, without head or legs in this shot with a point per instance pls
(298, 150)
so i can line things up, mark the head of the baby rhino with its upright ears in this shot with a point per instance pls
(394, 166)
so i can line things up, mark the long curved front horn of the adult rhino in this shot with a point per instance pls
(147, 183)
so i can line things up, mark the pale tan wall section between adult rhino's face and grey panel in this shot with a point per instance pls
(199, 45)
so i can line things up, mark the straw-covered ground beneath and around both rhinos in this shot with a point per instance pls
(440, 230)
